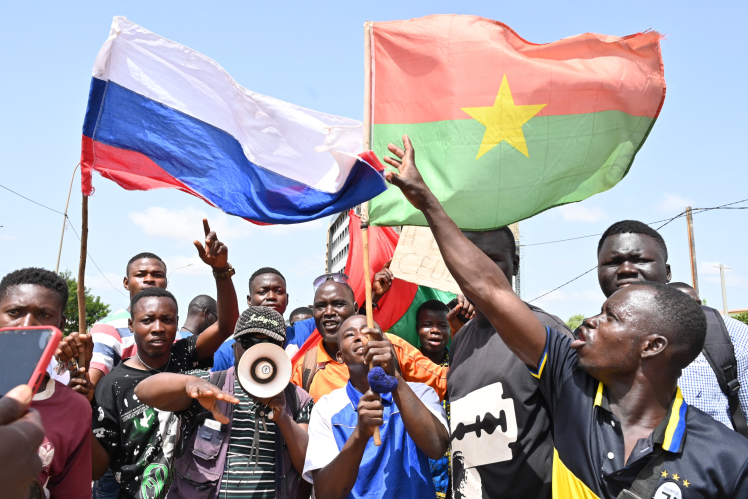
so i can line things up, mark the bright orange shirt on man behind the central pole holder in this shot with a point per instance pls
(415, 367)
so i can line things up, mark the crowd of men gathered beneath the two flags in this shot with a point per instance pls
(642, 400)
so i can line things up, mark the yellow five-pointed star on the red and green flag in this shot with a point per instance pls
(503, 121)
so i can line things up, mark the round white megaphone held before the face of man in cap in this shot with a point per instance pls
(264, 370)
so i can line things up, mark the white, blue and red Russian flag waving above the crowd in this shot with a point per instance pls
(161, 115)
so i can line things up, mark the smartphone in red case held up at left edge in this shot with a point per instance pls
(25, 353)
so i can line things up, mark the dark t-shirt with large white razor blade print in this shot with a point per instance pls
(501, 436)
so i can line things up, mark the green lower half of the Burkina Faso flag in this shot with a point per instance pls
(571, 157)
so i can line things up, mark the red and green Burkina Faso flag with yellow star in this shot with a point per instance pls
(503, 128)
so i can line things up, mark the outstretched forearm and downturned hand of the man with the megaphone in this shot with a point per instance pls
(175, 392)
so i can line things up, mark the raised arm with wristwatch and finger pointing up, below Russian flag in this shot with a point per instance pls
(216, 254)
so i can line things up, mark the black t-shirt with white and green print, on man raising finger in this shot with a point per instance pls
(140, 439)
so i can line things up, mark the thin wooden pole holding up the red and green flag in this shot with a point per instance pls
(365, 206)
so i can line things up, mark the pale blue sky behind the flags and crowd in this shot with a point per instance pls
(311, 54)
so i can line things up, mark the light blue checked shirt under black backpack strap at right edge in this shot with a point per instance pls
(699, 383)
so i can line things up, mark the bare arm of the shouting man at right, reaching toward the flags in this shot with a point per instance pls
(480, 279)
